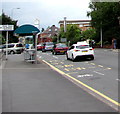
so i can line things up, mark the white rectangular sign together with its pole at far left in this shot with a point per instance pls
(6, 28)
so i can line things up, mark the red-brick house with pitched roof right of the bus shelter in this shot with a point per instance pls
(48, 34)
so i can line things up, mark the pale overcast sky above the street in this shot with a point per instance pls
(49, 12)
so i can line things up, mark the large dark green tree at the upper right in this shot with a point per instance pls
(105, 15)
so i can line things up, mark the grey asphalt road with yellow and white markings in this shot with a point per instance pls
(100, 74)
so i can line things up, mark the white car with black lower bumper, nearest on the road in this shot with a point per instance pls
(80, 50)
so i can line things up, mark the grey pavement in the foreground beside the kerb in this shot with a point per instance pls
(28, 87)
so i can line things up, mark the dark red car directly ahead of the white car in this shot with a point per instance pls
(59, 49)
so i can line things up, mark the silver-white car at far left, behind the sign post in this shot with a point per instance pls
(13, 48)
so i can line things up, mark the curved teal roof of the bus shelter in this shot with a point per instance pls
(26, 30)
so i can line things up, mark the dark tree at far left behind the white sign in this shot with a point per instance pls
(4, 19)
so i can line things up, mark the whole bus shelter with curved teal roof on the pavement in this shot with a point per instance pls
(30, 55)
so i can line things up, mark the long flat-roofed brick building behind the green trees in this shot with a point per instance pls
(83, 24)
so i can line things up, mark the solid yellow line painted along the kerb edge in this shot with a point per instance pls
(88, 87)
